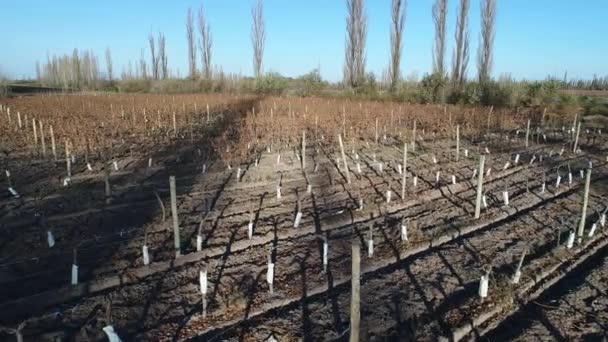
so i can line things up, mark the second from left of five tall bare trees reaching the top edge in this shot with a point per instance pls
(397, 22)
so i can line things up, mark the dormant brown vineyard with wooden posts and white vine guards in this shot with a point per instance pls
(224, 217)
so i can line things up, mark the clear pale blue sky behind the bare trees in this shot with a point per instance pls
(534, 38)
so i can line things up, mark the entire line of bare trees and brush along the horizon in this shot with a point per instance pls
(81, 69)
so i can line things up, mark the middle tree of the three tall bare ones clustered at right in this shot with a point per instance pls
(461, 51)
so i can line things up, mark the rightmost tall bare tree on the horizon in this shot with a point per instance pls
(486, 45)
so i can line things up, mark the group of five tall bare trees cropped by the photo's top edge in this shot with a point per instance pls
(356, 29)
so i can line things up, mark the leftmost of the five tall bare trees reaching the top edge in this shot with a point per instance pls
(356, 34)
